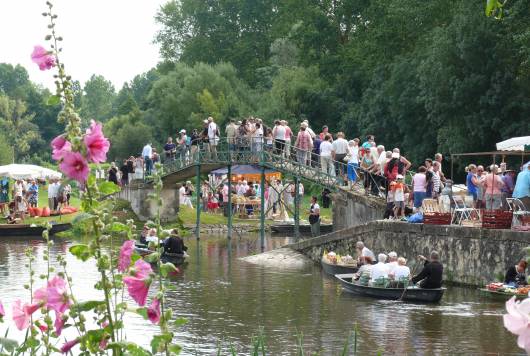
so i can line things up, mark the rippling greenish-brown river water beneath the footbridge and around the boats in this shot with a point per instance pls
(227, 301)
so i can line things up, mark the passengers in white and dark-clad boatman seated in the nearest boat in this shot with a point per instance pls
(393, 269)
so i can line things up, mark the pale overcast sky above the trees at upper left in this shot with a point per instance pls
(112, 38)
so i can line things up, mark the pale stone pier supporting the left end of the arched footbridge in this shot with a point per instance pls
(145, 208)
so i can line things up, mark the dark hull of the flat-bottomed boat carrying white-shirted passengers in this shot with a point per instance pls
(412, 294)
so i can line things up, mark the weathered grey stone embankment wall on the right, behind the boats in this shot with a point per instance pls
(471, 256)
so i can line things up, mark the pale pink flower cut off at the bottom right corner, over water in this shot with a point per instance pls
(517, 321)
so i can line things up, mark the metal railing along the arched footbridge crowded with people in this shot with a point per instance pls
(226, 151)
